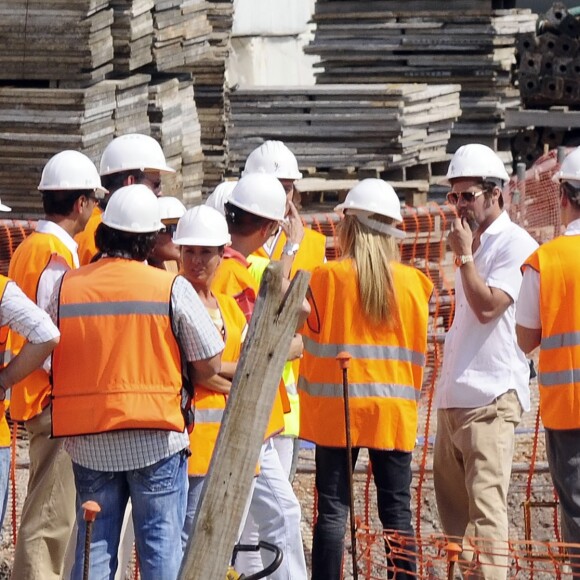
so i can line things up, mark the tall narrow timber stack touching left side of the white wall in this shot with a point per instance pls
(210, 92)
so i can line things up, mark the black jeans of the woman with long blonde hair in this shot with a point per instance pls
(392, 475)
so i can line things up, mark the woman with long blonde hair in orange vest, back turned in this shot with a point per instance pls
(375, 308)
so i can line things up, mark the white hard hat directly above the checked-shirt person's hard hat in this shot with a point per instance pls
(131, 152)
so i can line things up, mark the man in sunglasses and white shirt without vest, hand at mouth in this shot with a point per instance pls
(484, 380)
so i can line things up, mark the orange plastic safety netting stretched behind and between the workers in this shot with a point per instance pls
(533, 203)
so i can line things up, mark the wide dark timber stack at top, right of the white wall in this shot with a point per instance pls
(422, 41)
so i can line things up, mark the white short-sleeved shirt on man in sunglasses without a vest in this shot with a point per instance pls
(483, 361)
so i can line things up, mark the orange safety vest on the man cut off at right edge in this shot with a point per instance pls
(559, 362)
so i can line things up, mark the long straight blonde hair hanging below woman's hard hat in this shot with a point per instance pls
(372, 254)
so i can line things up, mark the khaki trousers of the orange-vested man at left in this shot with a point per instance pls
(48, 514)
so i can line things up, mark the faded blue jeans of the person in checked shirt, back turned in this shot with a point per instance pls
(158, 495)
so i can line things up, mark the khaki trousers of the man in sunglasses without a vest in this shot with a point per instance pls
(471, 468)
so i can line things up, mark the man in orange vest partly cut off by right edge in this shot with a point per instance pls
(548, 316)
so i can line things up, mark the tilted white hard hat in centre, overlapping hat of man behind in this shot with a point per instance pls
(261, 195)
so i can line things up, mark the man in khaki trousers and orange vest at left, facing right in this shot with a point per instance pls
(70, 187)
